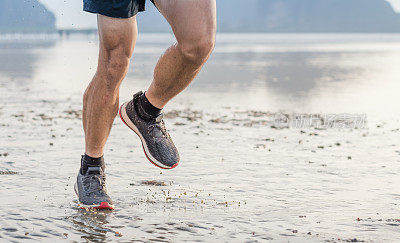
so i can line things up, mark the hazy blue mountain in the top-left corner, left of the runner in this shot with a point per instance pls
(25, 16)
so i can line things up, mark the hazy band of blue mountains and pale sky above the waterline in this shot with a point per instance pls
(233, 15)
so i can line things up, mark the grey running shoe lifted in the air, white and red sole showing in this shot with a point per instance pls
(156, 142)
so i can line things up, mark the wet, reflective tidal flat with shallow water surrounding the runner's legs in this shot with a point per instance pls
(259, 159)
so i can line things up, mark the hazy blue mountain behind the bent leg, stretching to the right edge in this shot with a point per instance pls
(294, 16)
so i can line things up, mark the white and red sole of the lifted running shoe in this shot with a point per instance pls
(125, 119)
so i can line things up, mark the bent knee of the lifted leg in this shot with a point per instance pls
(197, 52)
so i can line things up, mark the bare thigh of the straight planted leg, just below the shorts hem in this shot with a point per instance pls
(117, 34)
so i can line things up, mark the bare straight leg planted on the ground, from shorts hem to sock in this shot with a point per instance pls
(100, 101)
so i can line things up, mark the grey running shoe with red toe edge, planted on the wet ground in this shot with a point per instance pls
(91, 189)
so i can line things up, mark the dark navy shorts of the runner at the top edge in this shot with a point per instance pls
(115, 8)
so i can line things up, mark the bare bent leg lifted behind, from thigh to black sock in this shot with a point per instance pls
(194, 26)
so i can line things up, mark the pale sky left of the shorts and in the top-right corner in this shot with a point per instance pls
(70, 15)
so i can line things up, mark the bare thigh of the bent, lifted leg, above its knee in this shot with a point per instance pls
(189, 19)
